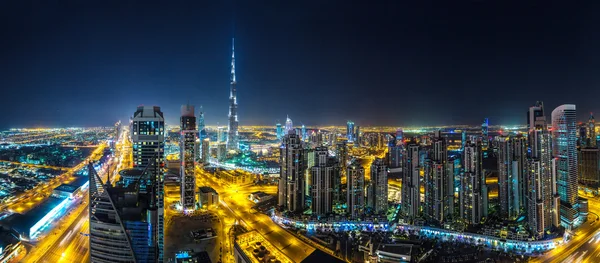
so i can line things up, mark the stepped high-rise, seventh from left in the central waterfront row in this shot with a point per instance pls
(473, 190)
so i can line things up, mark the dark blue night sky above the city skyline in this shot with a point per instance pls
(84, 63)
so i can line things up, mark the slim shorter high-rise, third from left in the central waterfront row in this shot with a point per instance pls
(355, 190)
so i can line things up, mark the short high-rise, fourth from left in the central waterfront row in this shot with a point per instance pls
(378, 187)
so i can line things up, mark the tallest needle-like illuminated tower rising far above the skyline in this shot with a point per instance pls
(233, 143)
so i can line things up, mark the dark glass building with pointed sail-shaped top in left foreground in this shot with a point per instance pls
(123, 226)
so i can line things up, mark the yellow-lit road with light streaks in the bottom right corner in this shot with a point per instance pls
(584, 246)
